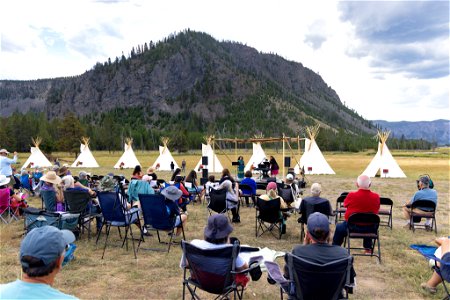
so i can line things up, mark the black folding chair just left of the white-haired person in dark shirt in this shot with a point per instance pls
(268, 217)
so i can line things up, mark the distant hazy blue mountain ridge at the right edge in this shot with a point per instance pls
(437, 131)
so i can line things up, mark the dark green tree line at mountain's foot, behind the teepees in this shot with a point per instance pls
(109, 130)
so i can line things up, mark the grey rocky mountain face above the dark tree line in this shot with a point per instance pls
(191, 73)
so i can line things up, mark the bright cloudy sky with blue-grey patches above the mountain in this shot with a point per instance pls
(385, 59)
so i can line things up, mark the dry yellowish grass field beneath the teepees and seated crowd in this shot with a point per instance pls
(156, 275)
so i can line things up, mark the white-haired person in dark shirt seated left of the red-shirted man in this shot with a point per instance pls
(314, 203)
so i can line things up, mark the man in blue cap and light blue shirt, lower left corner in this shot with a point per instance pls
(40, 265)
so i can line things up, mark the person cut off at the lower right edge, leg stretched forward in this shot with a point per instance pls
(443, 253)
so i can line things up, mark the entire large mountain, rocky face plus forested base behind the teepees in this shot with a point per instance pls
(186, 86)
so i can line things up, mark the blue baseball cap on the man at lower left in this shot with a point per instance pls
(46, 243)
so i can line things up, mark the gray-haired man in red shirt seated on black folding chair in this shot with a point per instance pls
(361, 201)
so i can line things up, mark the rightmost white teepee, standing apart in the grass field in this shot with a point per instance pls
(383, 163)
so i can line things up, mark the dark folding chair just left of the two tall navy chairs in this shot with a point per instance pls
(78, 202)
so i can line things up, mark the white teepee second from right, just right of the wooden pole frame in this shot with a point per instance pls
(312, 160)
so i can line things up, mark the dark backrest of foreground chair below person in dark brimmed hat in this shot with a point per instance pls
(211, 268)
